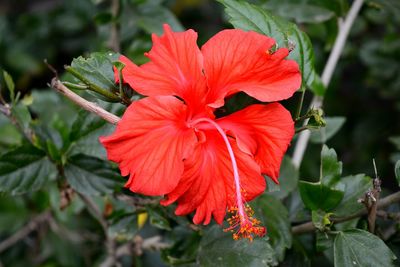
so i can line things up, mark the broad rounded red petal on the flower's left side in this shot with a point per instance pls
(150, 143)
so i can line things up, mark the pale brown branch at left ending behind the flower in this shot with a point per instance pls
(89, 106)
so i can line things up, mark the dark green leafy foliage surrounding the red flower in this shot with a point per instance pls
(58, 187)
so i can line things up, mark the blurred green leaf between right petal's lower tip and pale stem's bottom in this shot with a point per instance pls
(288, 179)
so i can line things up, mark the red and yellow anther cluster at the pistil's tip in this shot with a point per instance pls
(244, 226)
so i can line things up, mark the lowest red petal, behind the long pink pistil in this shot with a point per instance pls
(207, 184)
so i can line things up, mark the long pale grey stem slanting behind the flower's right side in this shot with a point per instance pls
(330, 66)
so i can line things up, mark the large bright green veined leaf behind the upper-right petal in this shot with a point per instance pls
(252, 18)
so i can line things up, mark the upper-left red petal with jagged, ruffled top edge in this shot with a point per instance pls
(175, 68)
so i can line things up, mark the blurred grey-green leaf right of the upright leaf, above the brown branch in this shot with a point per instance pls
(356, 186)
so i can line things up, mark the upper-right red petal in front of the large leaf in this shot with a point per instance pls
(235, 60)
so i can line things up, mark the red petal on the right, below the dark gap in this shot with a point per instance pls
(264, 131)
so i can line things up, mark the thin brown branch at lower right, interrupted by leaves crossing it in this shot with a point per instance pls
(383, 203)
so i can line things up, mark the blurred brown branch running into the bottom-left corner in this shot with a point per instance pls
(24, 231)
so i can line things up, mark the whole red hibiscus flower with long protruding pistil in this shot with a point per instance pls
(171, 144)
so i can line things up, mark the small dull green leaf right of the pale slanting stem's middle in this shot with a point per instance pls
(333, 125)
